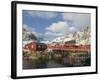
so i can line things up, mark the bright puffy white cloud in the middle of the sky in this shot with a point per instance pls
(60, 28)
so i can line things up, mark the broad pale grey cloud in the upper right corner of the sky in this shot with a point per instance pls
(79, 19)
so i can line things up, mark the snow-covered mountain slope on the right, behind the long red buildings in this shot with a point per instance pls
(81, 37)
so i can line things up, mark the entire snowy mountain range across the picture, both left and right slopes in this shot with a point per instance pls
(81, 37)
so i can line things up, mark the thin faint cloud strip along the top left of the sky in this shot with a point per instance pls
(41, 14)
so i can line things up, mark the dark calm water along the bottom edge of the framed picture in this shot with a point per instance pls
(30, 64)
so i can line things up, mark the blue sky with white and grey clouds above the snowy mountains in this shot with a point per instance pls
(49, 25)
